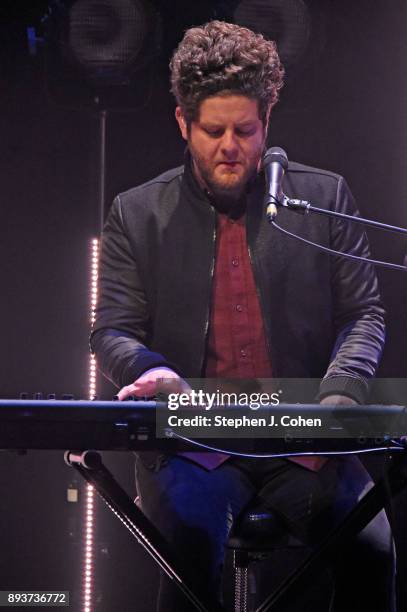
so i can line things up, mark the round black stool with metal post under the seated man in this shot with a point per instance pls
(258, 532)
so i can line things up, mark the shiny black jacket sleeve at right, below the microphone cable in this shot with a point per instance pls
(357, 309)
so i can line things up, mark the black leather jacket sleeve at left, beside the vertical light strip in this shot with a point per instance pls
(120, 333)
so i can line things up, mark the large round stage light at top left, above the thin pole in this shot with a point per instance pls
(99, 51)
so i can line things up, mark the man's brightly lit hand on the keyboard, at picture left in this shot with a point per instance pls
(155, 381)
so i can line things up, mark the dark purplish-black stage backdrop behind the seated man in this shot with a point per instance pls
(343, 109)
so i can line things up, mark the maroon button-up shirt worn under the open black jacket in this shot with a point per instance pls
(236, 345)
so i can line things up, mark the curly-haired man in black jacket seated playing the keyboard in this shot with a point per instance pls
(195, 283)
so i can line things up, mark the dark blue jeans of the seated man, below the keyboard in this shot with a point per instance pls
(195, 510)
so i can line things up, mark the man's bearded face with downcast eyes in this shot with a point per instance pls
(226, 143)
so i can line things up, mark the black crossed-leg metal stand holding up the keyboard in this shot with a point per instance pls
(89, 465)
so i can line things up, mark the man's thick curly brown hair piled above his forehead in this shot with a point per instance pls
(222, 58)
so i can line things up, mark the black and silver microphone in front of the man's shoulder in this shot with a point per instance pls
(275, 163)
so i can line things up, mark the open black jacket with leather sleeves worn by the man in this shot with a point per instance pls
(322, 314)
